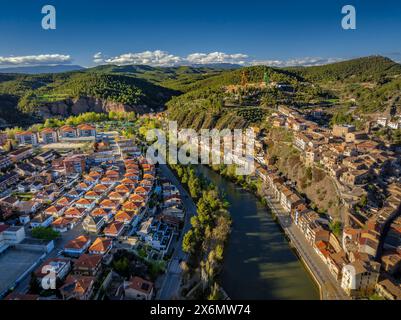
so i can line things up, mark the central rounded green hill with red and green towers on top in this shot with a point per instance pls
(209, 103)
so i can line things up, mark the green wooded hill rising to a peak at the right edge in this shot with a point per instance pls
(371, 84)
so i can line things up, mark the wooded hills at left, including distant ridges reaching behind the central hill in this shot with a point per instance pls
(132, 85)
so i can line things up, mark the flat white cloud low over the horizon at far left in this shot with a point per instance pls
(42, 59)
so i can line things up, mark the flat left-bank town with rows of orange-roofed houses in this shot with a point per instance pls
(104, 222)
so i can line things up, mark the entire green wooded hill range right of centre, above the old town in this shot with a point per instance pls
(362, 87)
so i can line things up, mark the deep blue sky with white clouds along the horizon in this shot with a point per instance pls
(274, 32)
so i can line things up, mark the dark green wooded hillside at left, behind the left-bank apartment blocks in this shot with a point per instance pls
(30, 91)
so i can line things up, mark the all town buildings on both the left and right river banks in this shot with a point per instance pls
(110, 224)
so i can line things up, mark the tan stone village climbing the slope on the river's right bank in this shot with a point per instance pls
(365, 257)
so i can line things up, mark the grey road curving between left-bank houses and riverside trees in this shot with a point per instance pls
(172, 278)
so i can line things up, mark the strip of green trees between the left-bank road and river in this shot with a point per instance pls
(209, 232)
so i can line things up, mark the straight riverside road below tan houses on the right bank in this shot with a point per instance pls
(330, 288)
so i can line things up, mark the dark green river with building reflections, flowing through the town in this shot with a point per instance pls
(258, 261)
